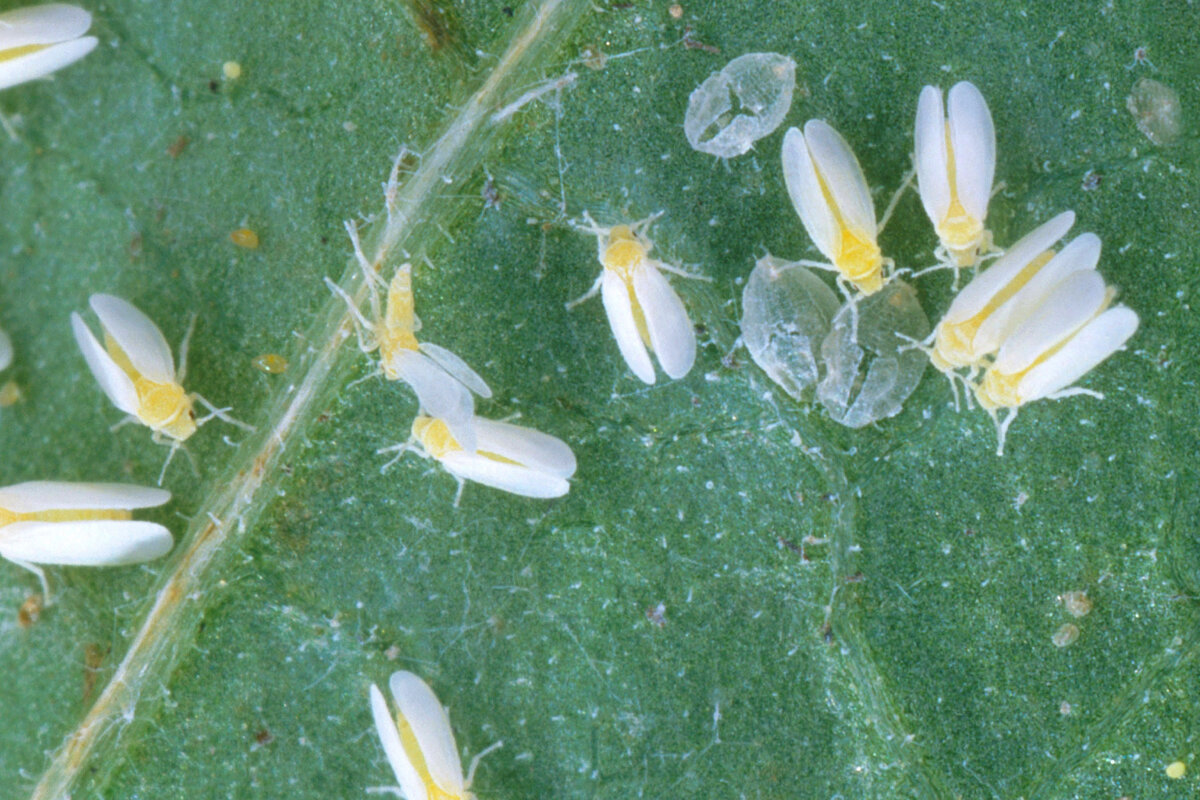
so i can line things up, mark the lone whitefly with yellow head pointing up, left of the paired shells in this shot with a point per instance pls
(644, 311)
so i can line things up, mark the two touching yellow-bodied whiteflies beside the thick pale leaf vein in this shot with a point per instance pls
(447, 429)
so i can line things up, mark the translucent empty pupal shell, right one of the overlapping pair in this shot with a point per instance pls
(869, 371)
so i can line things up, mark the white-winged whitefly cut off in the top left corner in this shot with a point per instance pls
(40, 40)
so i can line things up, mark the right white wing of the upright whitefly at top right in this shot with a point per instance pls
(974, 140)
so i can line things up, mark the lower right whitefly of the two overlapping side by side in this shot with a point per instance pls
(1069, 335)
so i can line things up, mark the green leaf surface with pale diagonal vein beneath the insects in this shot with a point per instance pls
(740, 598)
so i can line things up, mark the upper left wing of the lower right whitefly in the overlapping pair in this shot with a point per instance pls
(1073, 303)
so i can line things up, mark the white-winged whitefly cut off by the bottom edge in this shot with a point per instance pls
(419, 743)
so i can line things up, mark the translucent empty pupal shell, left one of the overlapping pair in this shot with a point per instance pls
(787, 314)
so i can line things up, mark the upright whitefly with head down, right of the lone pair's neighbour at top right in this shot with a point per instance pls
(956, 158)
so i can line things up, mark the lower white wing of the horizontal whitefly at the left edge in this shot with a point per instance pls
(89, 543)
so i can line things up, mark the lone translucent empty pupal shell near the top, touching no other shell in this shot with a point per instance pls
(742, 104)
